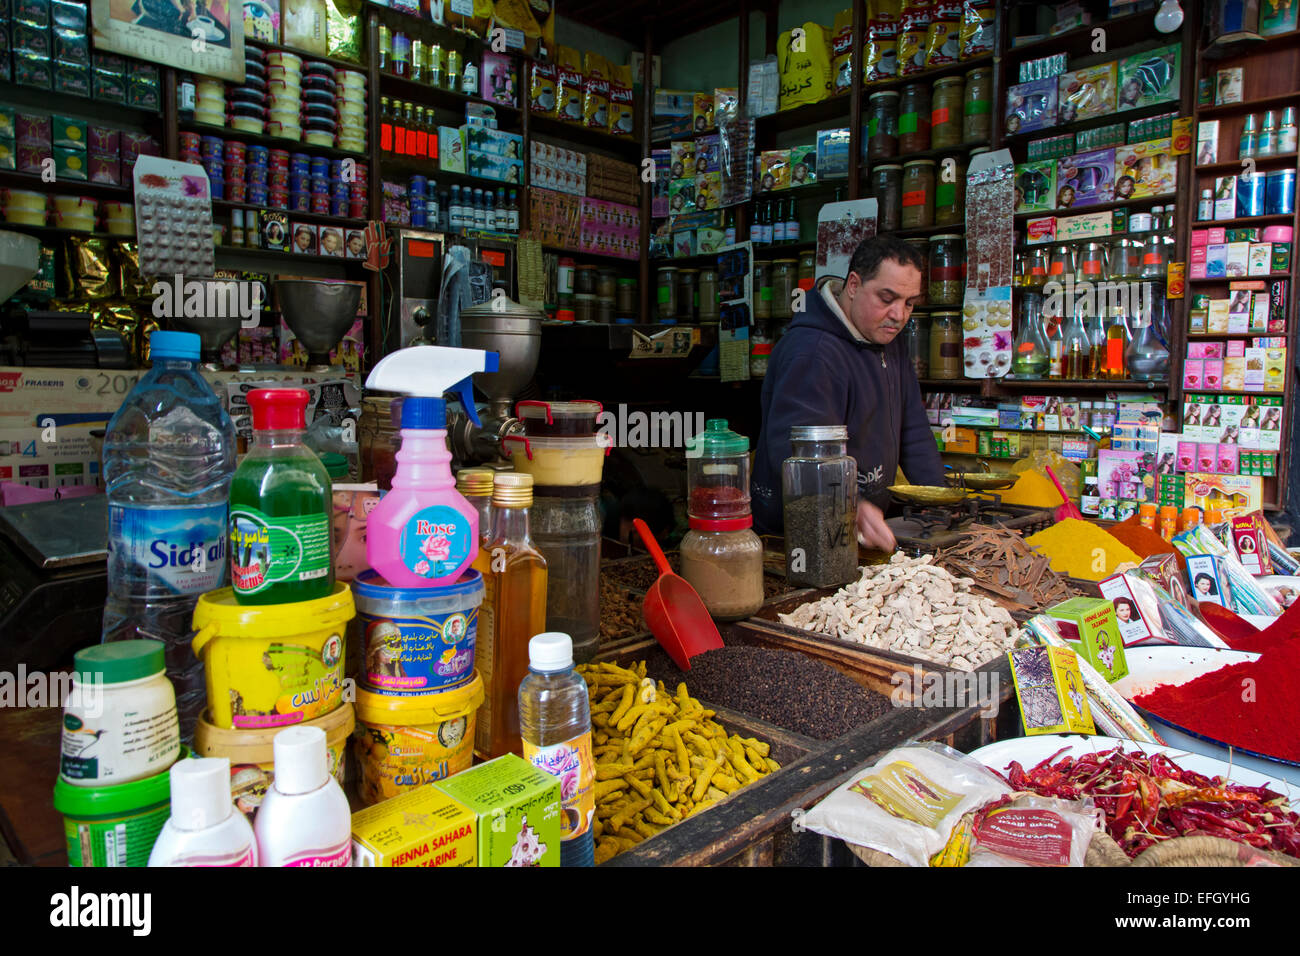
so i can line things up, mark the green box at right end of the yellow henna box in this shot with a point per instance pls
(518, 808)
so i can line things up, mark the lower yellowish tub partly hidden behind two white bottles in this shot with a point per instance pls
(253, 767)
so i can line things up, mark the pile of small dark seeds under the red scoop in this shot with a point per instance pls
(782, 687)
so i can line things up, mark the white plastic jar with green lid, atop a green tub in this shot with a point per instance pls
(120, 721)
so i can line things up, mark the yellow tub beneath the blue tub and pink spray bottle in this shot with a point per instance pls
(406, 742)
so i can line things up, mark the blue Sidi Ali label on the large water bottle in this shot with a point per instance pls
(184, 550)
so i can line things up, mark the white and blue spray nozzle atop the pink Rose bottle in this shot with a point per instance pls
(427, 373)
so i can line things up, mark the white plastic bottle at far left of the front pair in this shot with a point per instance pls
(205, 829)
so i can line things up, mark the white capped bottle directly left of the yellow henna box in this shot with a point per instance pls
(304, 820)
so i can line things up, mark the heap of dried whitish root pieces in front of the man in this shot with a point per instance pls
(917, 609)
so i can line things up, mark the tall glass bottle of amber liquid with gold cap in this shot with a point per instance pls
(513, 612)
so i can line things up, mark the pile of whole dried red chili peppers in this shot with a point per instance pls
(1149, 799)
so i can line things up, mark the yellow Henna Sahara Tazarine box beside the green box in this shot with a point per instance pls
(421, 828)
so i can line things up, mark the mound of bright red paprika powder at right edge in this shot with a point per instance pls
(1250, 706)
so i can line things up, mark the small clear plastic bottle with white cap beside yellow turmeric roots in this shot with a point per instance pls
(556, 724)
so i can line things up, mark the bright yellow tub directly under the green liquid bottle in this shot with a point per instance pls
(272, 665)
